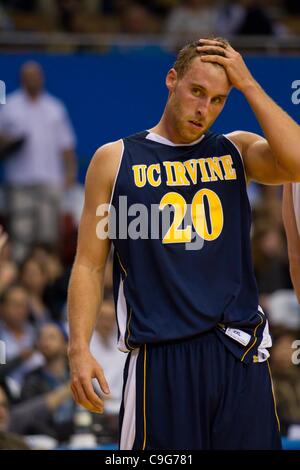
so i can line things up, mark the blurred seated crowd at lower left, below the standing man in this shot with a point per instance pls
(35, 396)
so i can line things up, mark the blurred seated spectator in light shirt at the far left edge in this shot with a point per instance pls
(19, 337)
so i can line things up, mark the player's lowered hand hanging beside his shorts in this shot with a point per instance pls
(85, 368)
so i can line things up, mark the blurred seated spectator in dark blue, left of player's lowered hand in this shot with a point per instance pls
(52, 376)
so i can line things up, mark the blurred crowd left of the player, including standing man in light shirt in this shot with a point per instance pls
(42, 201)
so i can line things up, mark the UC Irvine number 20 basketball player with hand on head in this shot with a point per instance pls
(196, 376)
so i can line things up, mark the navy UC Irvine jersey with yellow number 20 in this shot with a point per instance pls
(194, 273)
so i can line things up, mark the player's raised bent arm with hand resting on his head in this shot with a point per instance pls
(274, 159)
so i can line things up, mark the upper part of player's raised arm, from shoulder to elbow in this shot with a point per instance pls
(260, 163)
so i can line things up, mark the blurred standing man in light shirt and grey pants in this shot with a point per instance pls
(37, 172)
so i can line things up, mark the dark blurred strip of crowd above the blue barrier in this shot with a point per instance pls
(185, 18)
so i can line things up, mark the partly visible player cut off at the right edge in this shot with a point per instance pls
(291, 220)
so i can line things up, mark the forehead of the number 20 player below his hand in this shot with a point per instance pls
(209, 76)
